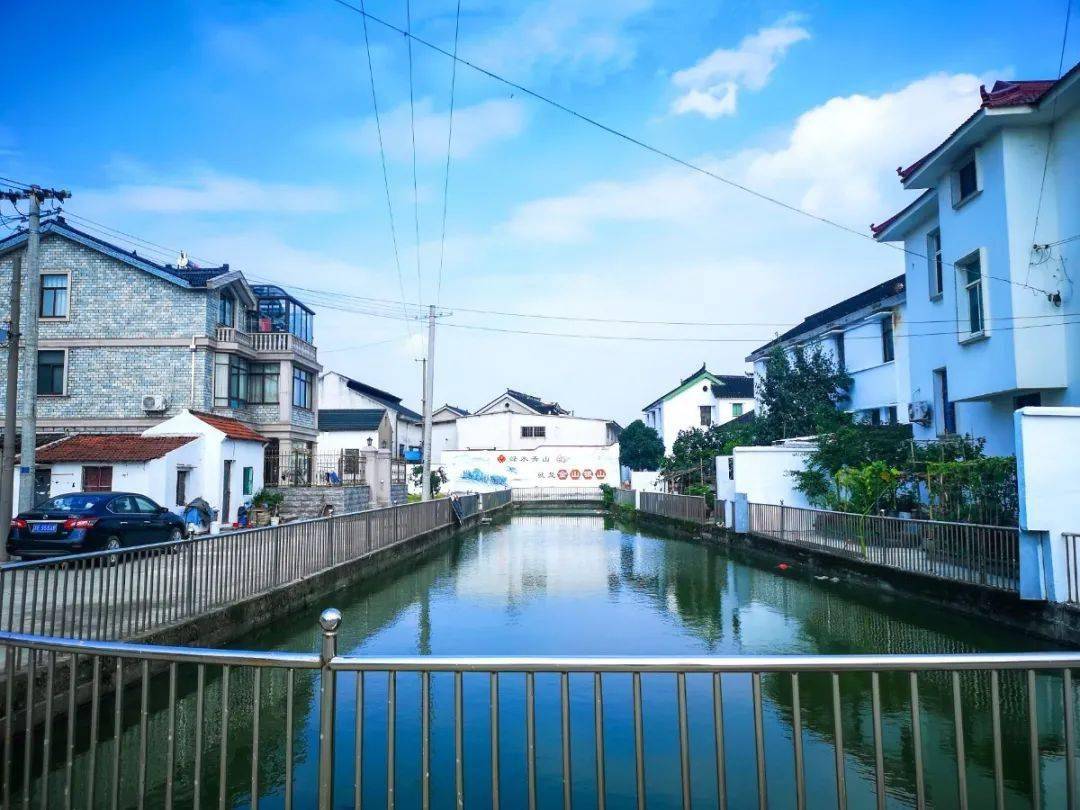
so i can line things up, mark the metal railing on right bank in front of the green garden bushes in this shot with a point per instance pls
(979, 556)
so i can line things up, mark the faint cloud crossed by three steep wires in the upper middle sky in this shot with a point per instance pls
(476, 127)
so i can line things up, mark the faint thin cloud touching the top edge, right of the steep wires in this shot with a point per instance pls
(549, 34)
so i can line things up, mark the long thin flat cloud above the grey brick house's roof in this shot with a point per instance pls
(211, 193)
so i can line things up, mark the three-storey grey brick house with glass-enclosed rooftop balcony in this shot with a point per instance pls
(127, 343)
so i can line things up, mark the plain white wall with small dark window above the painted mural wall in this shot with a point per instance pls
(504, 431)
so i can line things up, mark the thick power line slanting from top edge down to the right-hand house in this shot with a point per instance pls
(651, 148)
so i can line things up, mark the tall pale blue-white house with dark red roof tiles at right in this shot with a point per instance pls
(991, 248)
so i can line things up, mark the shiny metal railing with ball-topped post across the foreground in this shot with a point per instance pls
(233, 727)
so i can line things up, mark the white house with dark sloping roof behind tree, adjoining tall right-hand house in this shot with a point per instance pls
(866, 336)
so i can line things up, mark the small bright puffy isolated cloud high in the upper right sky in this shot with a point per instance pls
(711, 87)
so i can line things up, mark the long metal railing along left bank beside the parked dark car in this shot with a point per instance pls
(132, 592)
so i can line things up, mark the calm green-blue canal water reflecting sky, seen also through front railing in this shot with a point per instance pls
(586, 586)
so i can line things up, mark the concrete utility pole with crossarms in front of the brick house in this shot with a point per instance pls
(30, 427)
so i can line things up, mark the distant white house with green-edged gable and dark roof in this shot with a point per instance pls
(699, 401)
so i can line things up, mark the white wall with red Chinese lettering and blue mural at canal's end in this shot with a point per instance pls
(548, 467)
